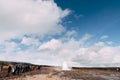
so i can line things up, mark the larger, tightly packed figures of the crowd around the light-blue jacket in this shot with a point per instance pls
(17, 69)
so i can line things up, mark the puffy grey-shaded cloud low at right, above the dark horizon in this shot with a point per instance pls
(98, 56)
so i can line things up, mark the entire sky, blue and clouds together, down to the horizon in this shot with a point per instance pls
(83, 33)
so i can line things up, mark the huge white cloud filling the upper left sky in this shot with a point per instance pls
(20, 17)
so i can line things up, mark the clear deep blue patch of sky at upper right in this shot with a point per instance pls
(97, 17)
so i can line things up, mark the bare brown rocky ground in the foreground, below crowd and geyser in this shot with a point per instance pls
(50, 73)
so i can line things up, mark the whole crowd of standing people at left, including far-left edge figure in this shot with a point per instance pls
(17, 69)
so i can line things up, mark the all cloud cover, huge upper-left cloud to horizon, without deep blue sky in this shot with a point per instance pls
(40, 18)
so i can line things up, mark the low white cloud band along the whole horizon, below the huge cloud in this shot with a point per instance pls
(55, 51)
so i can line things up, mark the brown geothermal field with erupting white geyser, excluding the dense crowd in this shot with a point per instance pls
(38, 72)
